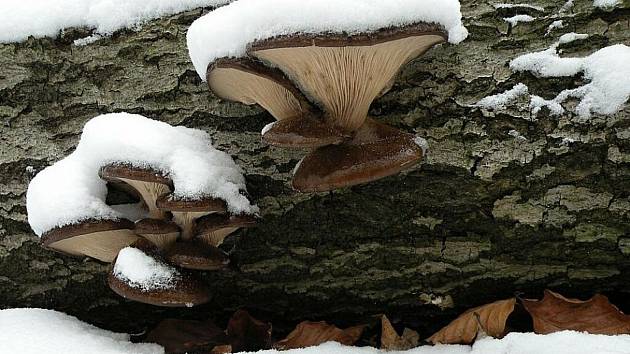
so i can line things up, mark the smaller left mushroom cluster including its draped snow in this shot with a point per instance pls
(154, 256)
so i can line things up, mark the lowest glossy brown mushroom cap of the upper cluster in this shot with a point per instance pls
(376, 151)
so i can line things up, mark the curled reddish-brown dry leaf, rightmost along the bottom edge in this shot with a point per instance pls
(556, 313)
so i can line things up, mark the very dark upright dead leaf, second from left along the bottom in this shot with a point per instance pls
(246, 333)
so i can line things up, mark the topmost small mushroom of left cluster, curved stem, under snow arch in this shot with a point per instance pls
(150, 184)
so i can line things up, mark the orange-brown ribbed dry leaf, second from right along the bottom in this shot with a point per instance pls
(489, 318)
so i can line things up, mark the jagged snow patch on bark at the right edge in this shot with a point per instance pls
(607, 91)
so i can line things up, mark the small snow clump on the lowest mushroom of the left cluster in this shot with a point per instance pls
(139, 270)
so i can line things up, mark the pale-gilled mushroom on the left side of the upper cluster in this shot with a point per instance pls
(248, 82)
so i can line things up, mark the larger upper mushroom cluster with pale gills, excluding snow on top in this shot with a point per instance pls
(319, 88)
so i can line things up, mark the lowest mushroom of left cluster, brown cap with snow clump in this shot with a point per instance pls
(139, 274)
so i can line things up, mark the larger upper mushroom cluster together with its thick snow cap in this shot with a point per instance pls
(319, 77)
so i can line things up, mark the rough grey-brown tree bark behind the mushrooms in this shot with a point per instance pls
(487, 214)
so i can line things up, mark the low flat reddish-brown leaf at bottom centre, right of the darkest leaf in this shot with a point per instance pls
(309, 333)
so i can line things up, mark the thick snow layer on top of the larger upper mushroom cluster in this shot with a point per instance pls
(227, 31)
